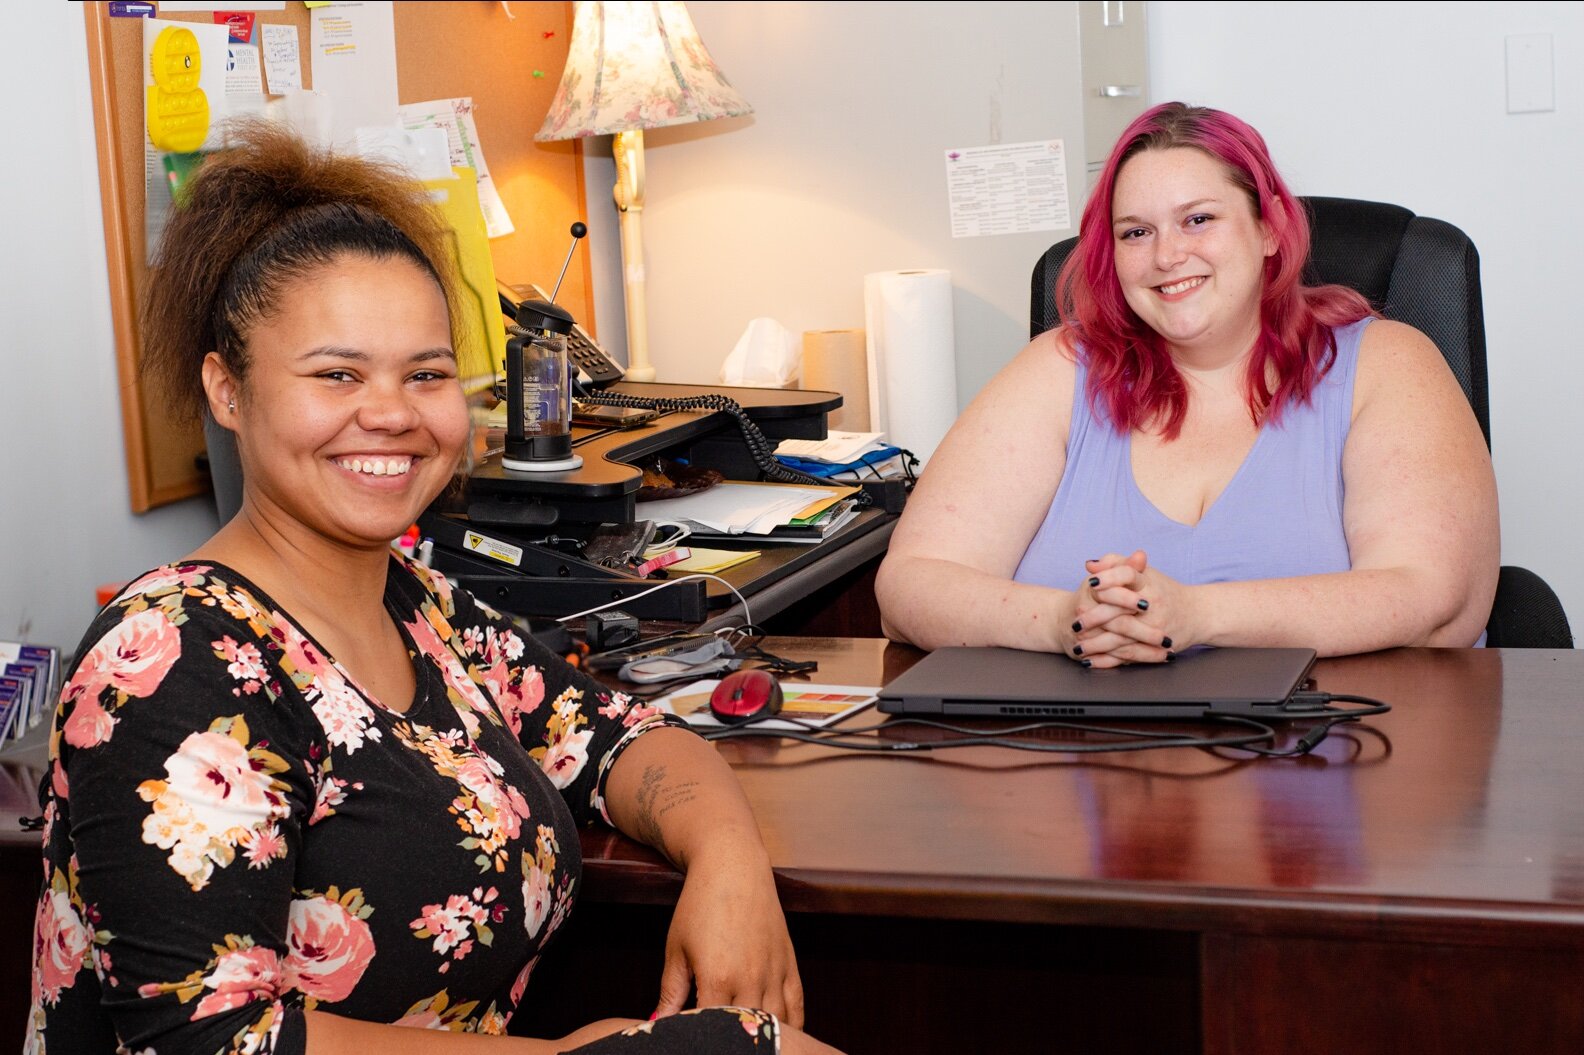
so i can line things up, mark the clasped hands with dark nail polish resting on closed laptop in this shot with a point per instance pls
(1125, 612)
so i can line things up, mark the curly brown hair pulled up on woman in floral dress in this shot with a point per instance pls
(261, 213)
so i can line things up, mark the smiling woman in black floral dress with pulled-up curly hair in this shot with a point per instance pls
(302, 791)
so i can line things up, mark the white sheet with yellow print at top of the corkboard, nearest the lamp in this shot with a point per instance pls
(352, 50)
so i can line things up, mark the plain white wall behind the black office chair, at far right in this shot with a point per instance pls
(1407, 104)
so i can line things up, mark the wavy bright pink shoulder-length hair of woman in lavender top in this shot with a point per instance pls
(1130, 371)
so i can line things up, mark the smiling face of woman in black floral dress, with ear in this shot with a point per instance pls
(351, 419)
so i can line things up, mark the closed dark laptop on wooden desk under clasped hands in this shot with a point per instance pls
(1011, 684)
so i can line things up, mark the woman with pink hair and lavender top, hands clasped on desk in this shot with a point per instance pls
(1206, 452)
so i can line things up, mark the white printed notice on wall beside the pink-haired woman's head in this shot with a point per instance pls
(1008, 189)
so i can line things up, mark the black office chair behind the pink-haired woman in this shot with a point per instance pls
(1425, 273)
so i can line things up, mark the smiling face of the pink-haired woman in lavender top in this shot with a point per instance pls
(1190, 253)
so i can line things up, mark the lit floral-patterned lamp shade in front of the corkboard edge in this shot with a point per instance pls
(638, 66)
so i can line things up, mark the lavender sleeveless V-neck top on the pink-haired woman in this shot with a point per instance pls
(1279, 517)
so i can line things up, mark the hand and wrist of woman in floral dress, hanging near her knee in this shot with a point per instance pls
(731, 940)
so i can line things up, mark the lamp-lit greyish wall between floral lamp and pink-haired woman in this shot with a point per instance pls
(840, 172)
